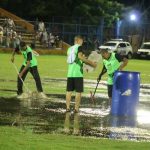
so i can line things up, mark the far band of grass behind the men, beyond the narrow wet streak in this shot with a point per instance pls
(56, 67)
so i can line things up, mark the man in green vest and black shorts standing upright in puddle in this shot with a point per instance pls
(75, 61)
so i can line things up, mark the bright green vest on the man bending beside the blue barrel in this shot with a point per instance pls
(111, 65)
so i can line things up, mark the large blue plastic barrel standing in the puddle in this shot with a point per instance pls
(125, 96)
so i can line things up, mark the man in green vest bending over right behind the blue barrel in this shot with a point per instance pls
(111, 63)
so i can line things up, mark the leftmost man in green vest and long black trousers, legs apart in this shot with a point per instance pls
(29, 64)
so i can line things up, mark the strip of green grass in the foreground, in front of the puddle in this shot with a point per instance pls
(16, 139)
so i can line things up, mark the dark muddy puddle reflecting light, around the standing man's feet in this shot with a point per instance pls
(48, 116)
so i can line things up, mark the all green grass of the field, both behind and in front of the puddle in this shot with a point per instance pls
(12, 138)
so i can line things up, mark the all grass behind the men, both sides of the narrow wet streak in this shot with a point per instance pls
(52, 66)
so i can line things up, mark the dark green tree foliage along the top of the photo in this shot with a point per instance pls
(90, 11)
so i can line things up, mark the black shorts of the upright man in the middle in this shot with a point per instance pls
(75, 84)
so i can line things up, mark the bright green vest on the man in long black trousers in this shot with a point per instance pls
(33, 60)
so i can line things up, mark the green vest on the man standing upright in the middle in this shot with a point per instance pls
(75, 69)
